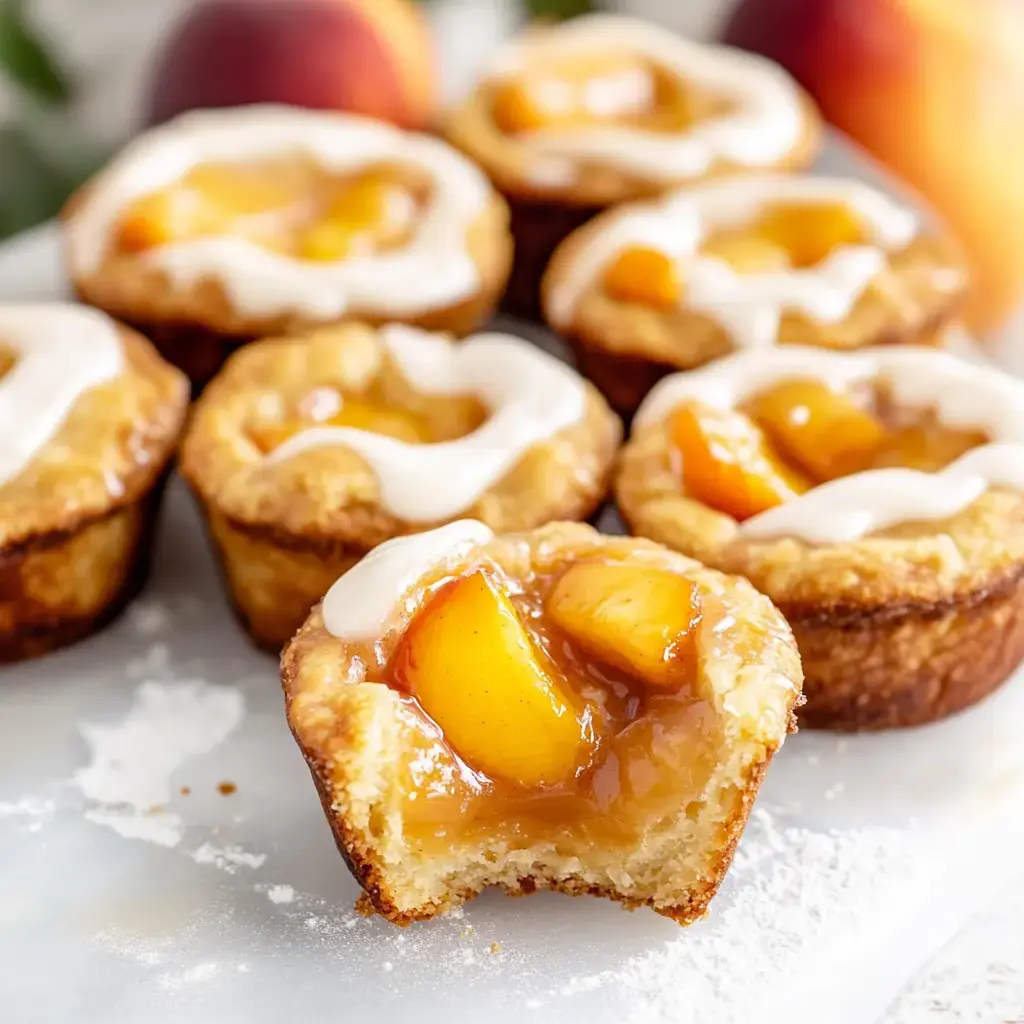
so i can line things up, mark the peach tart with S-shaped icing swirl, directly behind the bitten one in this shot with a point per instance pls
(514, 437)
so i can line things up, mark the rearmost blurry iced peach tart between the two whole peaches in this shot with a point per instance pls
(559, 166)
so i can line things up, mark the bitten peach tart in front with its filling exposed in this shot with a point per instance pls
(557, 710)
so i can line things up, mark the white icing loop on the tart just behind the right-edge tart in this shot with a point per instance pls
(750, 307)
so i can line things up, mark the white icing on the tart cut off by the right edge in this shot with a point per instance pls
(965, 396)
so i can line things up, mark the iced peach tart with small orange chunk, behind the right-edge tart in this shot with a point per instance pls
(751, 263)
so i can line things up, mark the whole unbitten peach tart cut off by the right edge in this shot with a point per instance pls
(877, 498)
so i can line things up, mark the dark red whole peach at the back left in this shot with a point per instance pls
(367, 57)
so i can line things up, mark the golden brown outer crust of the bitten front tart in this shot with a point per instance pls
(337, 722)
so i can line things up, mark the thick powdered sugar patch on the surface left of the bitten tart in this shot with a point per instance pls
(132, 762)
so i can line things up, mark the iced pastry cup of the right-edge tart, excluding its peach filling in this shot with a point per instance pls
(904, 588)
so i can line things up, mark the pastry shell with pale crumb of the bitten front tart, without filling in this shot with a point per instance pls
(355, 740)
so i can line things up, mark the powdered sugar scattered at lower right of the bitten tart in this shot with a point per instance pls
(791, 891)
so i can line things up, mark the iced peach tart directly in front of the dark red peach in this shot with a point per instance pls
(201, 295)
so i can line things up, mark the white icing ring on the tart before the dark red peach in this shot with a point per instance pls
(433, 271)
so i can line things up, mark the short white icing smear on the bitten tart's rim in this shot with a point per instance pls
(361, 603)
